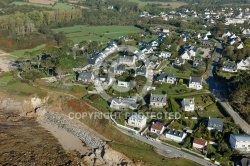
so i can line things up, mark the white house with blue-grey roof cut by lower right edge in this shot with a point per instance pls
(240, 142)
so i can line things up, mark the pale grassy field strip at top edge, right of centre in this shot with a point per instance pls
(164, 4)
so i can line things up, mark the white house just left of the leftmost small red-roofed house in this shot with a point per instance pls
(137, 120)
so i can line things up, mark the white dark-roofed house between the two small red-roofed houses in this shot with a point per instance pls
(175, 135)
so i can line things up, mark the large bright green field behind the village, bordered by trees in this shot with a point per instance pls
(96, 33)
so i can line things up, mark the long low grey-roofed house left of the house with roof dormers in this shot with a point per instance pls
(123, 103)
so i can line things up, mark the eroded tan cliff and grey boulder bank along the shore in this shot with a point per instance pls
(99, 154)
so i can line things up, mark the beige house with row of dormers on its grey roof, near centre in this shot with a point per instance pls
(158, 100)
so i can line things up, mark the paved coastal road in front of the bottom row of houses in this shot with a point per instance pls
(165, 149)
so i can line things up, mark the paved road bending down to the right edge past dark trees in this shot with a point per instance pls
(216, 88)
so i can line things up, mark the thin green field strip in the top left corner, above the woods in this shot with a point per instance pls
(56, 6)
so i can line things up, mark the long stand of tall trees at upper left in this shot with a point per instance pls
(24, 23)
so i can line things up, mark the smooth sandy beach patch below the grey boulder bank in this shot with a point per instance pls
(67, 140)
